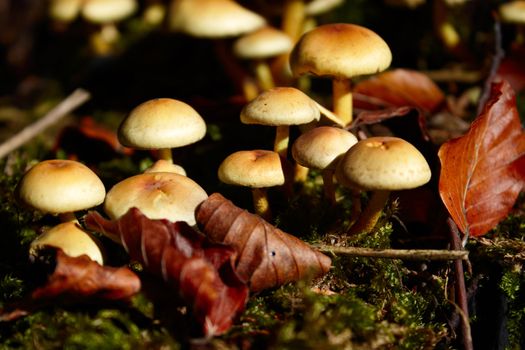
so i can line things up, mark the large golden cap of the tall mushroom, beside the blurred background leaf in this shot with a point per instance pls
(340, 50)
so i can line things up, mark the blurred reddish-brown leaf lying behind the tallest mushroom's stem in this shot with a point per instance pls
(398, 88)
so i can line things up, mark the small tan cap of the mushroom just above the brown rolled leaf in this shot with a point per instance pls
(255, 169)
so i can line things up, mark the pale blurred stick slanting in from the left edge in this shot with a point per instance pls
(78, 97)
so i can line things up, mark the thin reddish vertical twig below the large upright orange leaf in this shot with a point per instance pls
(461, 291)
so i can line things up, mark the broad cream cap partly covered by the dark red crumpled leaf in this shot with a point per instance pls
(158, 196)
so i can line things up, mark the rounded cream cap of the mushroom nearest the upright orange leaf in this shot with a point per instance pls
(383, 163)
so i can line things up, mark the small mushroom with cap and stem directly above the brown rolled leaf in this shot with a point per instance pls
(257, 169)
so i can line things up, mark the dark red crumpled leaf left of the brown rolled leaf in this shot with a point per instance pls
(201, 271)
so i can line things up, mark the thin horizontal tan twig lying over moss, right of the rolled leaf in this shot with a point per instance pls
(404, 254)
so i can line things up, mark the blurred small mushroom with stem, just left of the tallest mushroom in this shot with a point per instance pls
(259, 46)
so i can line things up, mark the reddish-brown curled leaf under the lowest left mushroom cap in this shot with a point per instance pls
(80, 278)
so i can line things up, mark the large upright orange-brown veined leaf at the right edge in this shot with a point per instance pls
(483, 172)
